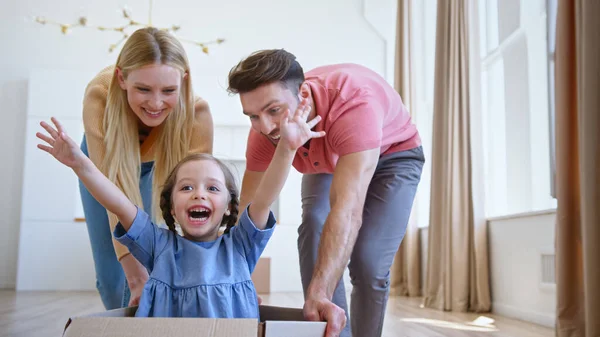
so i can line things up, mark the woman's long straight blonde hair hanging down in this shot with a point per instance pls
(122, 163)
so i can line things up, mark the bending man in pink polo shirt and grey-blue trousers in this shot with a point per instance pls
(359, 181)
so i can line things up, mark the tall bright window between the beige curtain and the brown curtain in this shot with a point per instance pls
(515, 105)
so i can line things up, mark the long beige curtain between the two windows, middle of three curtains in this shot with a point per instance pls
(457, 264)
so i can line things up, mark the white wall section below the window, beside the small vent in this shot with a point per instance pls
(516, 245)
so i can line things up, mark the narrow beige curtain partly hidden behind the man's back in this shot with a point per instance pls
(406, 269)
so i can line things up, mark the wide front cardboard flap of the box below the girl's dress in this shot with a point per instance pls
(99, 326)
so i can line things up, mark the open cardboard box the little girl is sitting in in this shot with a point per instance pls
(274, 322)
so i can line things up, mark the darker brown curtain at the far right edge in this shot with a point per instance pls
(578, 168)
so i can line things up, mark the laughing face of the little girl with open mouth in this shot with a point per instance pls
(200, 199)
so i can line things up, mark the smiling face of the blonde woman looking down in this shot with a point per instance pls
(152, 92)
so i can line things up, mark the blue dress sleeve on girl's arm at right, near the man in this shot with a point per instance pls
(250, 240)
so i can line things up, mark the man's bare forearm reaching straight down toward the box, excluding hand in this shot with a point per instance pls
(351, 180)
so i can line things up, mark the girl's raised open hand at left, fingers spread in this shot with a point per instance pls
(60, 146)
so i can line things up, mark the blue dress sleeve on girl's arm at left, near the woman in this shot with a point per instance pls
(144, 240)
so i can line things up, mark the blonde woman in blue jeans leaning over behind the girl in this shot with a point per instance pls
(140, 119)
